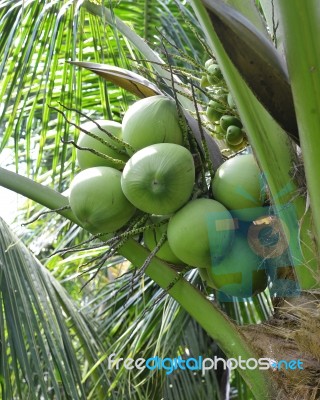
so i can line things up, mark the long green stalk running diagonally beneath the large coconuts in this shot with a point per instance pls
(211, 318)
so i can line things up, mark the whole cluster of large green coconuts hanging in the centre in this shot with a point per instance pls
(143, 167)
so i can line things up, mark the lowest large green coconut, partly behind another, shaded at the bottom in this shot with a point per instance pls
(241, 273)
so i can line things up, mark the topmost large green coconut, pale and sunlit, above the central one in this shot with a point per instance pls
(151, 120)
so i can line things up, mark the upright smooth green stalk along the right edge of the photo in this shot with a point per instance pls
(301, 30)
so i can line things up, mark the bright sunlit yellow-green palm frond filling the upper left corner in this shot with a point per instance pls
(43, 38)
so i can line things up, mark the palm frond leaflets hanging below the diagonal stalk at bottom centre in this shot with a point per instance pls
(138, 320)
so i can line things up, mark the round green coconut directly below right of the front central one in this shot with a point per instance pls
(201, 232)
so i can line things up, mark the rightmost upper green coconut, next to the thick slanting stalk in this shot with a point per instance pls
(238, 185)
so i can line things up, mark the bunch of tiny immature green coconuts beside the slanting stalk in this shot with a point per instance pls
(221, 109)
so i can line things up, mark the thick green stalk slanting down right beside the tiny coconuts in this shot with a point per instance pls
(269, 142)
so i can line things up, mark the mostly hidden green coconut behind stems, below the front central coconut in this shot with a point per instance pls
(152, 237)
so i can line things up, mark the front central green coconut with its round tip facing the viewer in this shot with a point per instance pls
(159, 179)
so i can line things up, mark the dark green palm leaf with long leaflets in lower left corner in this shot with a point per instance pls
(39, 353)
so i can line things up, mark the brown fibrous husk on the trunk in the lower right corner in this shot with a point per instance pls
(292, 333)
